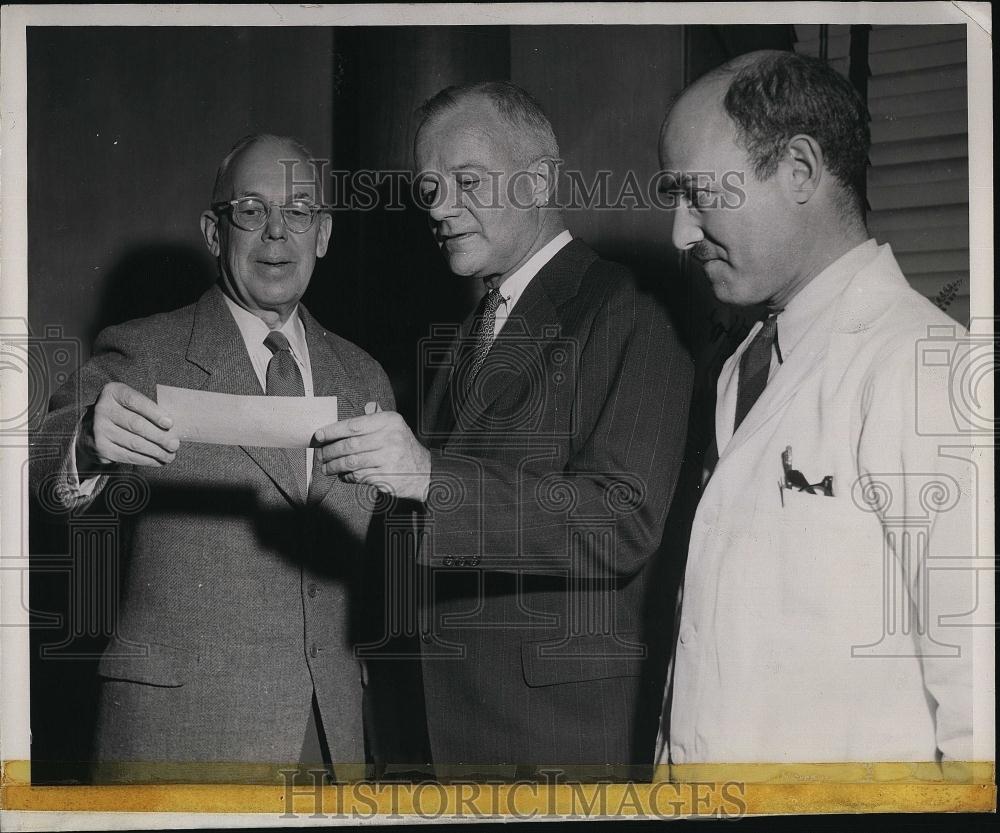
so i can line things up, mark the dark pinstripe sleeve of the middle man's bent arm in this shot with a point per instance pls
(599, 510)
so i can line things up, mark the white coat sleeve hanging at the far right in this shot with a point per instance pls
(928, 480)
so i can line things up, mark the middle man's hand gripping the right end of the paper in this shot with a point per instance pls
(378, 449)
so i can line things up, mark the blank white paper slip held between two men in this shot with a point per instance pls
(228, 419)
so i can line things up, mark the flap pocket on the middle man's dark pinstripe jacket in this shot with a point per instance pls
(580, 658)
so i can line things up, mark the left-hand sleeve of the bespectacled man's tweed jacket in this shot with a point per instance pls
(119, 356)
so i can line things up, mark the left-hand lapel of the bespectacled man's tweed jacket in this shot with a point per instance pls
(217, 348)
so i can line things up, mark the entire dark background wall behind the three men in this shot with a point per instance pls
(127, 126)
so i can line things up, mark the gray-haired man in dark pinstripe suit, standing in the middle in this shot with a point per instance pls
(552, 437)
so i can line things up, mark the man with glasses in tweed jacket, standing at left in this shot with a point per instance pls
(233, 653)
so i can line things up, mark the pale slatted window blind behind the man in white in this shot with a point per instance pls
(918, 182)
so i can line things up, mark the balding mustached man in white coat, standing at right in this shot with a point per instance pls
(809, 626)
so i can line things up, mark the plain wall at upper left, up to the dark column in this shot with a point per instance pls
(126, 129)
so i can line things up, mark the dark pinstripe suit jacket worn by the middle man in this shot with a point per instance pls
(534, 646)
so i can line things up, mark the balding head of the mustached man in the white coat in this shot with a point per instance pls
(763, 155)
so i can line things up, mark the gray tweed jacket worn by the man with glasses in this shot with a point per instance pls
(238, 595)
